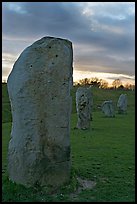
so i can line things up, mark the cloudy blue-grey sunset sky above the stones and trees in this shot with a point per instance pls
(102, 35)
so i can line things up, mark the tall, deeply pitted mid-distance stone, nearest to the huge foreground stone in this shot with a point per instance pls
(83, 108)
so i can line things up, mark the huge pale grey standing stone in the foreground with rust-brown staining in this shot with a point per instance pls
(39, 90)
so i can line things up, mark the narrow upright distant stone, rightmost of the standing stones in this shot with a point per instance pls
(122, 104)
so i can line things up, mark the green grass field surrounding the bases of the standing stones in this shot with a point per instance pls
(105, 155)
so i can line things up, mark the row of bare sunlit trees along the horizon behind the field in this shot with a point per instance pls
(101, 83)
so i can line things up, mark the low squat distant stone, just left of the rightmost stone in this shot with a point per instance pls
(108, 108)
